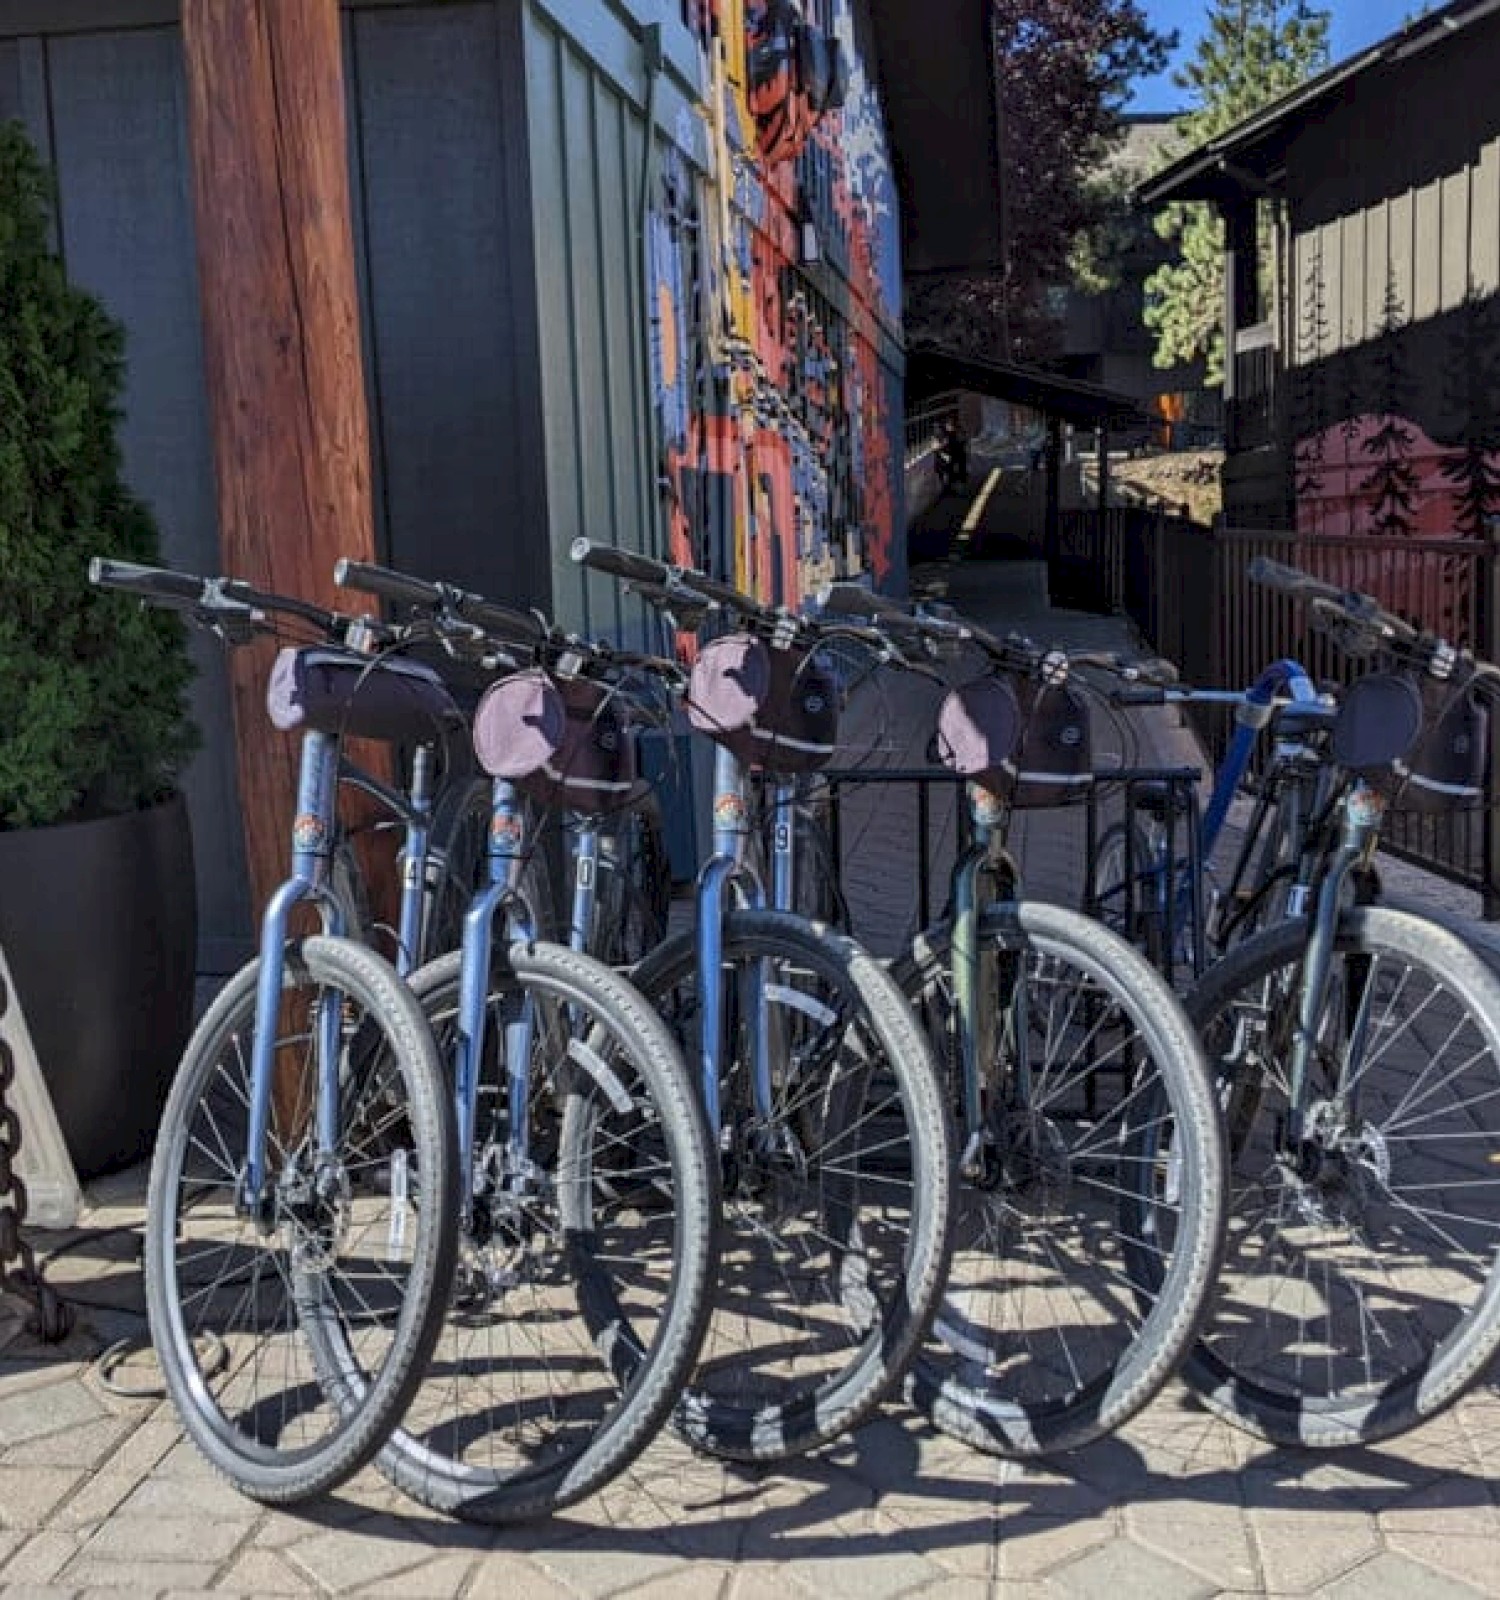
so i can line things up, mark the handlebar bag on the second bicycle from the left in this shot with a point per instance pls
(562, 742)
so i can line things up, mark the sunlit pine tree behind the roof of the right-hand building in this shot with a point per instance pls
(1251, 54)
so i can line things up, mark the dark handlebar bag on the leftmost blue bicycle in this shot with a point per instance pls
(340, 692)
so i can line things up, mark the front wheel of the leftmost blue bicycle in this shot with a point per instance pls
(351, 1250)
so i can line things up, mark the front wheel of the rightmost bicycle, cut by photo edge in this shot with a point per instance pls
(1360, 1289)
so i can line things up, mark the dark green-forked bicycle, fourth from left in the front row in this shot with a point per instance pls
(1091, 1202)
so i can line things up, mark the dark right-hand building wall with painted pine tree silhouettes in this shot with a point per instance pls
(1394, 286)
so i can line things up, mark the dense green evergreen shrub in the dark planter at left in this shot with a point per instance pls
(92, 686)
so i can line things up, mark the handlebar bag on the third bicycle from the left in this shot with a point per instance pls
(770, 708)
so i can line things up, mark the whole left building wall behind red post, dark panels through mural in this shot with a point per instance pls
(543, 353)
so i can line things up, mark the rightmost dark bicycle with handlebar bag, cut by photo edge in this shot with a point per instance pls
(1357, 1052)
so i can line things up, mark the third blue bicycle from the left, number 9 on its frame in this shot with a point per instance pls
(818, 1084)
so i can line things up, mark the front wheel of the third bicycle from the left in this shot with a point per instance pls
(836, 1194)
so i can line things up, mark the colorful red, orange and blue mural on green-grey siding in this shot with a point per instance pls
(776, 295)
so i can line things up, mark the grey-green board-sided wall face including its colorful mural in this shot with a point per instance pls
(741, 410)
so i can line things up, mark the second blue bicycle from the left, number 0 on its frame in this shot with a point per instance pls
(586, 1231)
